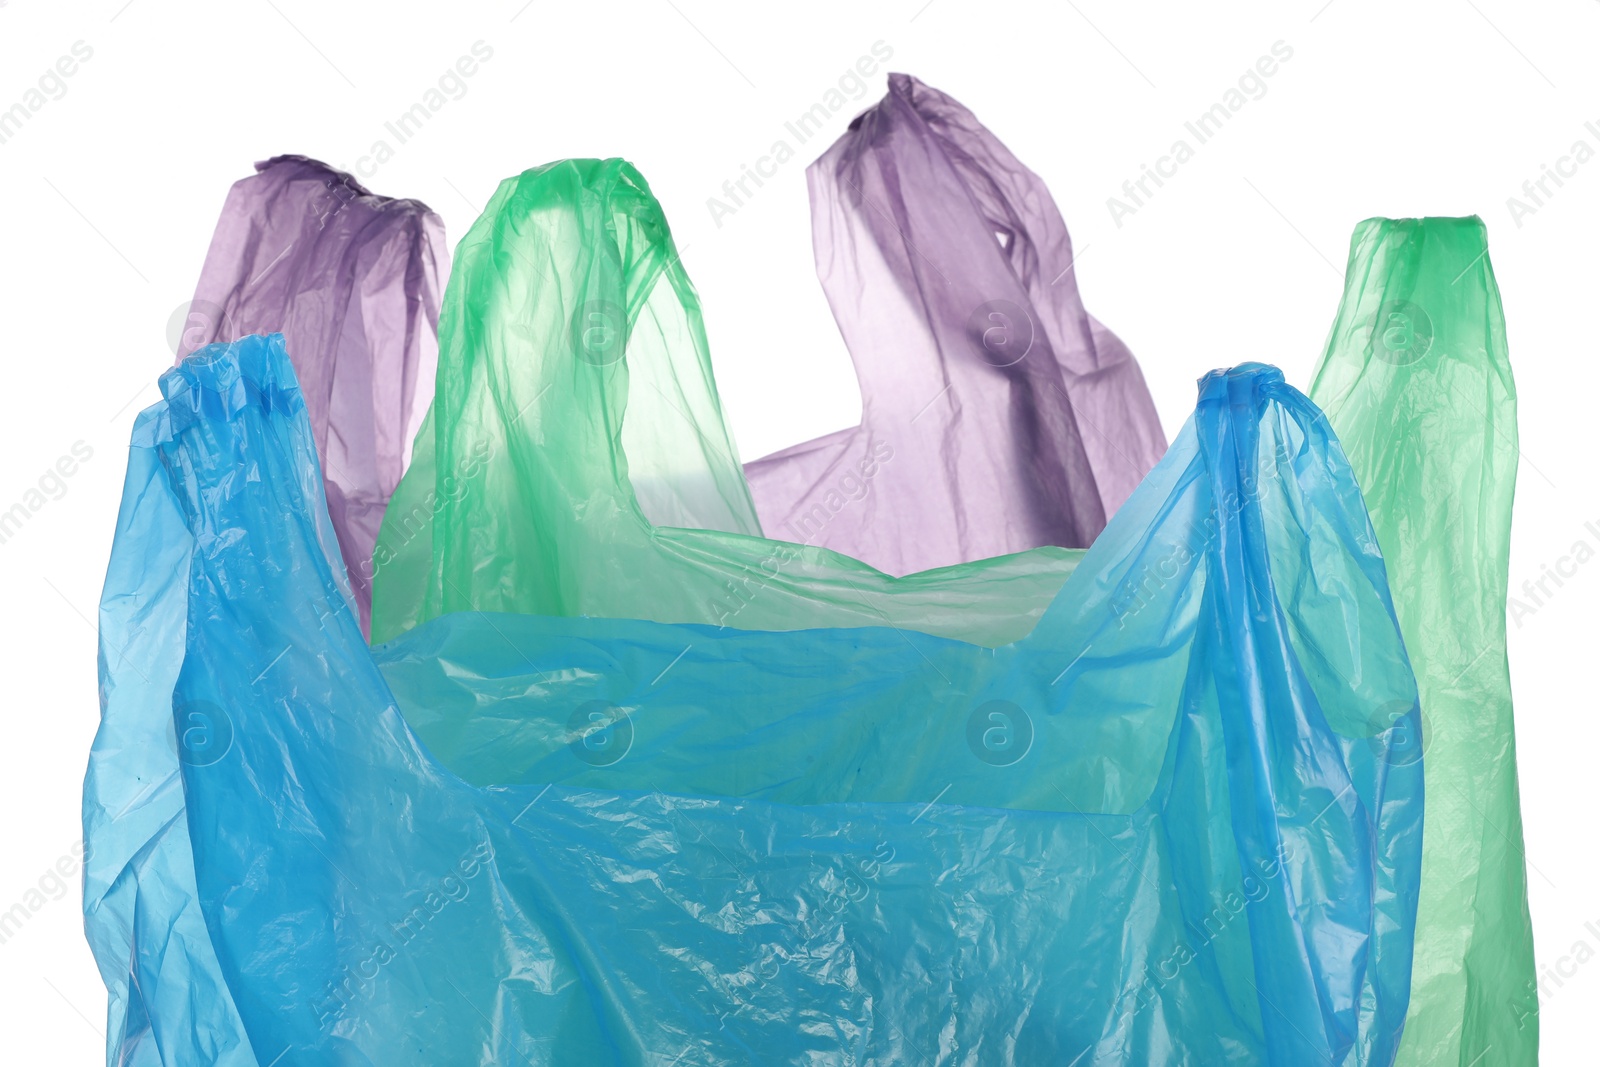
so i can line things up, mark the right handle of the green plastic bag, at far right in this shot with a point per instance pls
(1418, 385)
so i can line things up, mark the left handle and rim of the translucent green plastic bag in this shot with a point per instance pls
(530, 492)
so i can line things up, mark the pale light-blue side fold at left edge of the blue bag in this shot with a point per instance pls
(167, 1001)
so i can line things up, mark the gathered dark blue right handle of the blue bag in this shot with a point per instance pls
(1311, 730)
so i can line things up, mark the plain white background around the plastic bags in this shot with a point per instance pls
(1438, 108)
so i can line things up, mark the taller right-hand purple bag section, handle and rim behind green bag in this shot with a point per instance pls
(996, 414)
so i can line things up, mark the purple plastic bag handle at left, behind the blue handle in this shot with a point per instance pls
(354, 282)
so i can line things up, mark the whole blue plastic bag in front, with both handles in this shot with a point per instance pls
(1167, 826)
